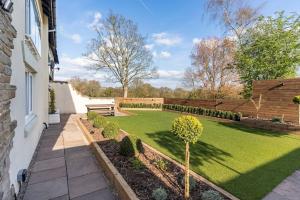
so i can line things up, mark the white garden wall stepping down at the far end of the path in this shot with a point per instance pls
(67, 100)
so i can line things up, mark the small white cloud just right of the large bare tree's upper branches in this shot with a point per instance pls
(167, 39)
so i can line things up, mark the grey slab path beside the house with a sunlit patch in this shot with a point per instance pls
(64, 167)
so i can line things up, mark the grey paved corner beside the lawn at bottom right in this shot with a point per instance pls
(289, 189)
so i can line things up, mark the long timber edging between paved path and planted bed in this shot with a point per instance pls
(123, 189)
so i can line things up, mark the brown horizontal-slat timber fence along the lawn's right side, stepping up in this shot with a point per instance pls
(276, 101)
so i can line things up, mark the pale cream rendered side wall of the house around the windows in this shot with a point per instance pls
(24, 144)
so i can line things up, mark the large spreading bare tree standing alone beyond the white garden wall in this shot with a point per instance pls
(120, 49)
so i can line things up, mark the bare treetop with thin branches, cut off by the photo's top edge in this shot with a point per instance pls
(234, 15)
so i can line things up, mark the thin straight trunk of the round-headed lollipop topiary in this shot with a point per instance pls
(187, 172)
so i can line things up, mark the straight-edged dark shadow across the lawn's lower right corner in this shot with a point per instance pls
(258, 182)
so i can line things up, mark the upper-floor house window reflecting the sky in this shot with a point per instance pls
(33, 24)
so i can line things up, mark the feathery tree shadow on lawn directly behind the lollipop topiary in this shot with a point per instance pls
(200, 152)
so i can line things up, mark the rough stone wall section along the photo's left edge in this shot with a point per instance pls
(7, 92)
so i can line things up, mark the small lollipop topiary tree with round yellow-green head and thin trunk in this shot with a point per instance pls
(189, 129)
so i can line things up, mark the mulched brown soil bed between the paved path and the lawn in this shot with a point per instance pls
(148, 171)
